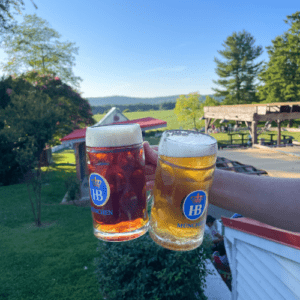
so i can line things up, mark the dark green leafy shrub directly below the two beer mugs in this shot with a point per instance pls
(139, 269)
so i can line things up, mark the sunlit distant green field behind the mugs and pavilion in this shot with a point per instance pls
(173, 123)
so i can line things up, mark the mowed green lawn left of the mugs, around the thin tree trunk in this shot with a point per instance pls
(56, 260)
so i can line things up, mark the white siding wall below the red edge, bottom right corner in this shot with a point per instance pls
(262, 269)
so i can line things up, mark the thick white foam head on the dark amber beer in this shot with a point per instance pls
(113, 135)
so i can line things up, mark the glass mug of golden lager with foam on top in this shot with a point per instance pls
(183, 178)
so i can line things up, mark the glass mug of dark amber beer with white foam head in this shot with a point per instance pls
(116, 166)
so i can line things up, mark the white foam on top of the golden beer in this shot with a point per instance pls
(181, 143)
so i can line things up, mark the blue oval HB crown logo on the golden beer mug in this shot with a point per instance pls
(194, 205)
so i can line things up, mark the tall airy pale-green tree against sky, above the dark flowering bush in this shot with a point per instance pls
(34, 45)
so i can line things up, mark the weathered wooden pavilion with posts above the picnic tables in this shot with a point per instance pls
(251, 114)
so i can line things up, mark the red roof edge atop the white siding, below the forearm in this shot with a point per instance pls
(287, 238)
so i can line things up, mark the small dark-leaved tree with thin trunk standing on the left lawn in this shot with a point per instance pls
(29, 123)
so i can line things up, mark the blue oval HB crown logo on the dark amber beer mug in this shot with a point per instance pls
(99, 189)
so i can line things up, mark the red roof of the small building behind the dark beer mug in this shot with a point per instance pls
(144, 123)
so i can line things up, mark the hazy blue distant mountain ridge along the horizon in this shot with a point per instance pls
(123, 100)
